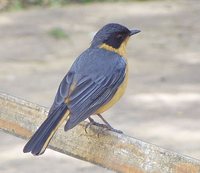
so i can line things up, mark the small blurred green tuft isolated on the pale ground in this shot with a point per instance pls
(58, 33)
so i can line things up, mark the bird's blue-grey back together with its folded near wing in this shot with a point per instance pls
(99, 72)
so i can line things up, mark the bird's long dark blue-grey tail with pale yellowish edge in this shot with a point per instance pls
(40, 140)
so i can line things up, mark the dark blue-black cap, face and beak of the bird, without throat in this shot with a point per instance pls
(113, 35)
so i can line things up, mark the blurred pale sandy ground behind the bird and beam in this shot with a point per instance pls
(40, 39)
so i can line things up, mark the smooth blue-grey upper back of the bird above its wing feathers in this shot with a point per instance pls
(96, 62)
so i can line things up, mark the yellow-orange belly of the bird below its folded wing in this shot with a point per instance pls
(117, 95)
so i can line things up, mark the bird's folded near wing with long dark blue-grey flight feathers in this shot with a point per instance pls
(89, 95)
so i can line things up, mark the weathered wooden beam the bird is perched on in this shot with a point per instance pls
(114, 151)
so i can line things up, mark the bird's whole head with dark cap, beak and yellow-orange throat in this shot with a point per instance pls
(113, 37)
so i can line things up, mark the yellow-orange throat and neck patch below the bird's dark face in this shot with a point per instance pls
(121, 50)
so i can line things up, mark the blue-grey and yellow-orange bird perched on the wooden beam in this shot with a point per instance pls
(95, 82)
